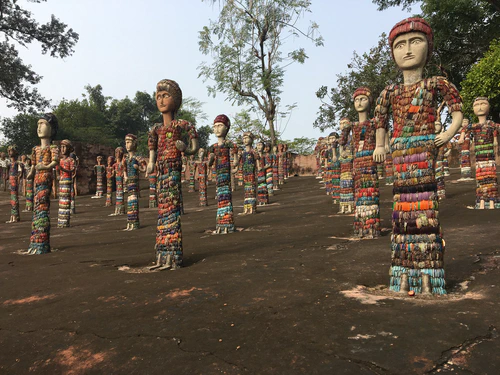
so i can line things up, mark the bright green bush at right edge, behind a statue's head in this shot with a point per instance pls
(484, 80)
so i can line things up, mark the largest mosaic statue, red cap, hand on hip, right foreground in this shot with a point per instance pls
(417, 241)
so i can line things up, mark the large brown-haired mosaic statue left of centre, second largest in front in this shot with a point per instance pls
(165, 147)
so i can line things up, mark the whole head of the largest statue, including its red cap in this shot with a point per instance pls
(411, 42)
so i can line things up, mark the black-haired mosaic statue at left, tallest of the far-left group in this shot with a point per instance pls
(45, 157)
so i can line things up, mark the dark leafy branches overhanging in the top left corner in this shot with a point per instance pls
(17, 78)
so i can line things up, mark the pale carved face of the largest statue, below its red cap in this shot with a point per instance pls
(410, 50)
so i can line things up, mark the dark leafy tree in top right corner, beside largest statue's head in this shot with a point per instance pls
(463, 31)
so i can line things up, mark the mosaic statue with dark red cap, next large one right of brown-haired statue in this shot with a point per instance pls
(220, 154)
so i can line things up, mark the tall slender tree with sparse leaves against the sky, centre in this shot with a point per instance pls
(247, 43)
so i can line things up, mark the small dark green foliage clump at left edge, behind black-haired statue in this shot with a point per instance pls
(22, 131)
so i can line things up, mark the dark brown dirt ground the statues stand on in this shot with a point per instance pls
(280, 296)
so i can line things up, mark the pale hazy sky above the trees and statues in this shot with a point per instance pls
(128, 46)
